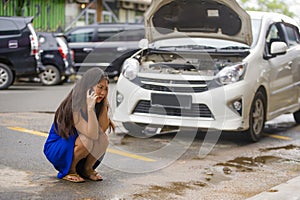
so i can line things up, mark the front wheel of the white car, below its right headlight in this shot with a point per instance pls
(257, 117)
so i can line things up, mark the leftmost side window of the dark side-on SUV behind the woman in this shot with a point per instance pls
(82, 35)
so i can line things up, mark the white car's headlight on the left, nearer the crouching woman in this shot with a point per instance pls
(131, 68)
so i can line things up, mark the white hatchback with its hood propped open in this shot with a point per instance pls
(211, 65)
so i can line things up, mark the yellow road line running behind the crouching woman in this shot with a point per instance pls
(114, 151)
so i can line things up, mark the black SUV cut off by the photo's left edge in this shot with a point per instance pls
(19, 53)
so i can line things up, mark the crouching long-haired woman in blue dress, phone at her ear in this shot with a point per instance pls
(77, 140)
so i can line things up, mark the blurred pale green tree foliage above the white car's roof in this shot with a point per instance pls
(278, 6)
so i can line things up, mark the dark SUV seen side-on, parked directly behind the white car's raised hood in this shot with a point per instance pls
(104, 45)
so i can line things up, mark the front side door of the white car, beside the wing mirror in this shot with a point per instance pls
(281, 82)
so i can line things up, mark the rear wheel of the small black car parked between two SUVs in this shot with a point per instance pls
(51, 76)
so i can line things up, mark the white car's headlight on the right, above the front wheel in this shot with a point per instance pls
(231, 74)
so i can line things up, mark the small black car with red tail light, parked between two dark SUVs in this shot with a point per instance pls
(56, 57)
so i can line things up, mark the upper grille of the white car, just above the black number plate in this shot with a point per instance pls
(183, 86)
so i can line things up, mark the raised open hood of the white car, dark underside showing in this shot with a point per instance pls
(221, 19)
